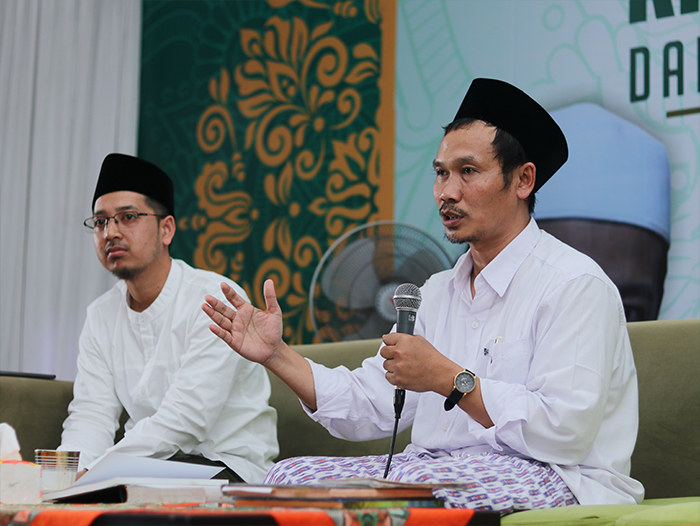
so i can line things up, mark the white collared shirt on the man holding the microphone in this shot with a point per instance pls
(546, 335)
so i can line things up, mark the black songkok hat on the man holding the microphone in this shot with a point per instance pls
(510, 109)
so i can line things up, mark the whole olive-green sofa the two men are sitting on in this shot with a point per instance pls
(666, 459)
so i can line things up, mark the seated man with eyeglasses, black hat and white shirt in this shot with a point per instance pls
(146, 347)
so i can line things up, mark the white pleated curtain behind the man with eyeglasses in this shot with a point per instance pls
(68, 96)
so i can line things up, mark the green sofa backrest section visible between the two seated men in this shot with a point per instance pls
(299, 435)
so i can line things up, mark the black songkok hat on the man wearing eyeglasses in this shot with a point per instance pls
(123, 172)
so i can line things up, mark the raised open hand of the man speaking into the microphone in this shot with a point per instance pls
(251, 332)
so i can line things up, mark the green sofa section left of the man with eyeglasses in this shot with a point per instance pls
(36, 409)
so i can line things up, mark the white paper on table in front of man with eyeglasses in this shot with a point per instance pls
(115, 465)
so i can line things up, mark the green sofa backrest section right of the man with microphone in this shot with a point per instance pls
(666, 458)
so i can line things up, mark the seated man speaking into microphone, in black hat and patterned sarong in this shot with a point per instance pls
(520, 381)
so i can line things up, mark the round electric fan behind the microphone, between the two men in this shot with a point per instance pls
(352, 289)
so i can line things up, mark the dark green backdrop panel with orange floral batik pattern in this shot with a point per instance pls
(275, 120)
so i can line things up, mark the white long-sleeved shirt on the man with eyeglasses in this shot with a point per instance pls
(183, 388)
